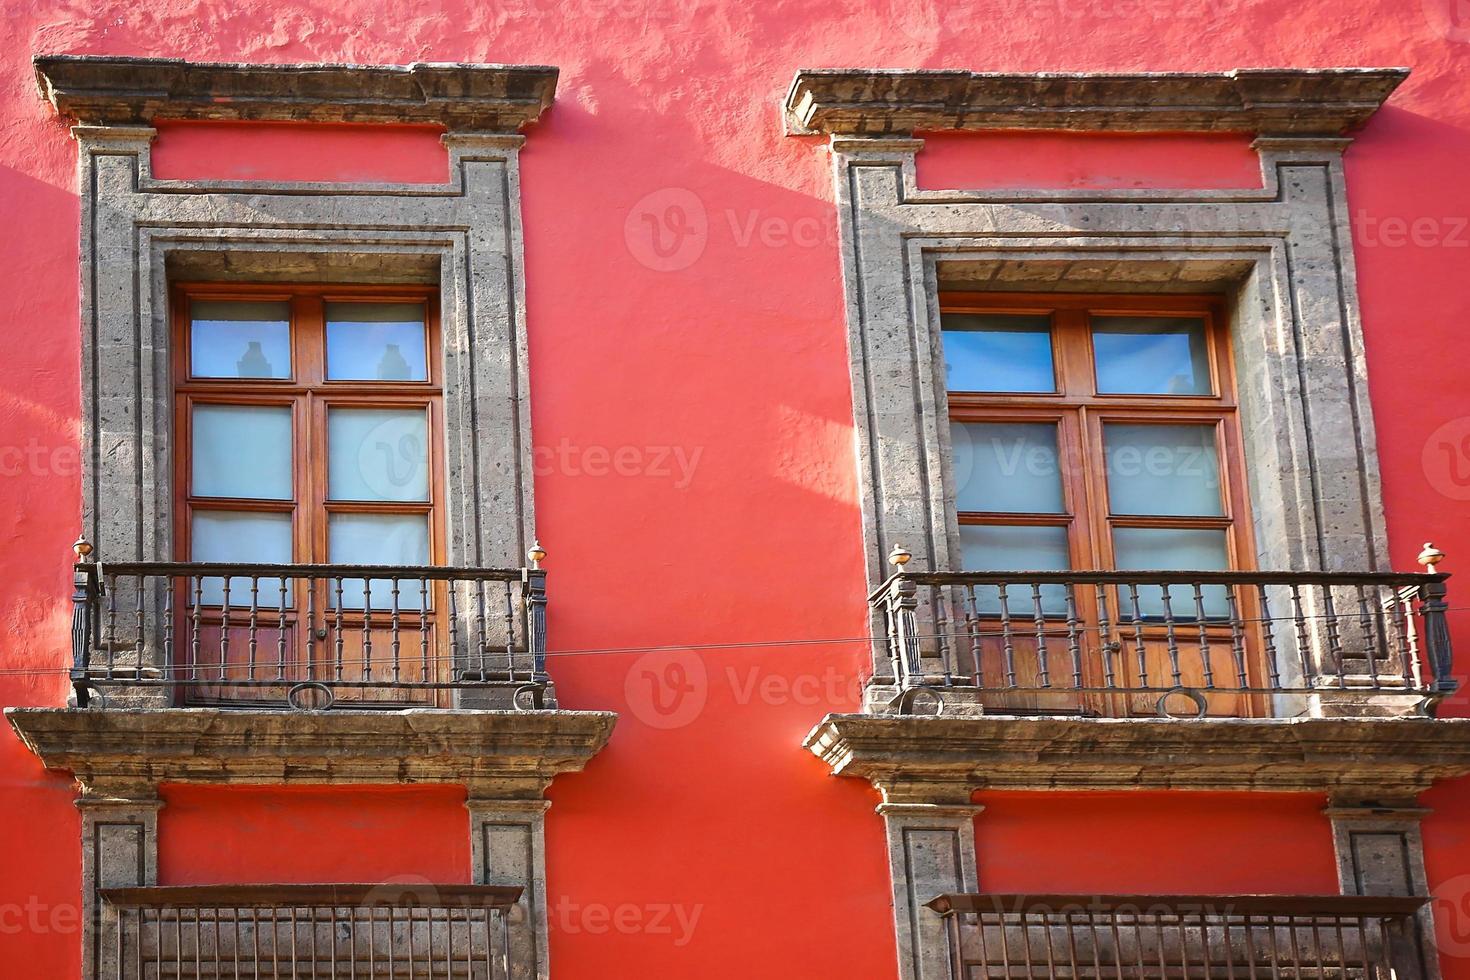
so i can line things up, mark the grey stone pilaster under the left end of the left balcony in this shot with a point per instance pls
(120, 849)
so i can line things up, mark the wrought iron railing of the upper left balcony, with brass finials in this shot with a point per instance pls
(309, 635)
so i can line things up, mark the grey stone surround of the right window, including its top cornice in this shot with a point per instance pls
(1283, 253)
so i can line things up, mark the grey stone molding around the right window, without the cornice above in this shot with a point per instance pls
(1281, 253)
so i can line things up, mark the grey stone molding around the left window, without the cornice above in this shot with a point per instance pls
(465, 236)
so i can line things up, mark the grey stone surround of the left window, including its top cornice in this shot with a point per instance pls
(462, 236)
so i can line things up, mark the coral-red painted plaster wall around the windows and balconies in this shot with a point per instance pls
(705, 843)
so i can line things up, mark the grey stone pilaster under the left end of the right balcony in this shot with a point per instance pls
(931, 853)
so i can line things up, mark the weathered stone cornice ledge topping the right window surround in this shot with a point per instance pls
(1266, 102)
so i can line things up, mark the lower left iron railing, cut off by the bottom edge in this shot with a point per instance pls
(308, 931)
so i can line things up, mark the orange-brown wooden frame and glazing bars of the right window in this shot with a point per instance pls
(1080, 412)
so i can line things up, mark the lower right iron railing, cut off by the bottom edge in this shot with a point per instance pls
(1180, 938)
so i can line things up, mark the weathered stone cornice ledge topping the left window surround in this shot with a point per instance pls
(139, 90)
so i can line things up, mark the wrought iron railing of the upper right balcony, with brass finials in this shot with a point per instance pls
(1166, 643)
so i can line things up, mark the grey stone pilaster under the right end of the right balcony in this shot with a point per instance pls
(1381, 851)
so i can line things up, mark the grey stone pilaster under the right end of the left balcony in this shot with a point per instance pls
(508, 847)
